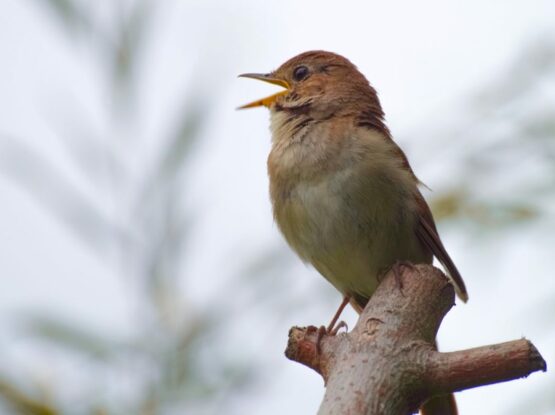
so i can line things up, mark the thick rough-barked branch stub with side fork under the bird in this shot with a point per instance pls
(388, 364)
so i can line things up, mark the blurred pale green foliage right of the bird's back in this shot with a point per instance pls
(507, 134)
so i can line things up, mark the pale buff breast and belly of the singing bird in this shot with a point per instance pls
(351, 222)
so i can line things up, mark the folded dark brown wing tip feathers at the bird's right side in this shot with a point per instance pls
(427, 233)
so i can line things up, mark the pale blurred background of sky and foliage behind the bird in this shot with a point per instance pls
(140, 269)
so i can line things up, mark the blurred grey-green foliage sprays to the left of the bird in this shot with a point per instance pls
(149, 243)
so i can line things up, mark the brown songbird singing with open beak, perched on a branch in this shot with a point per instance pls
(343, 192)
